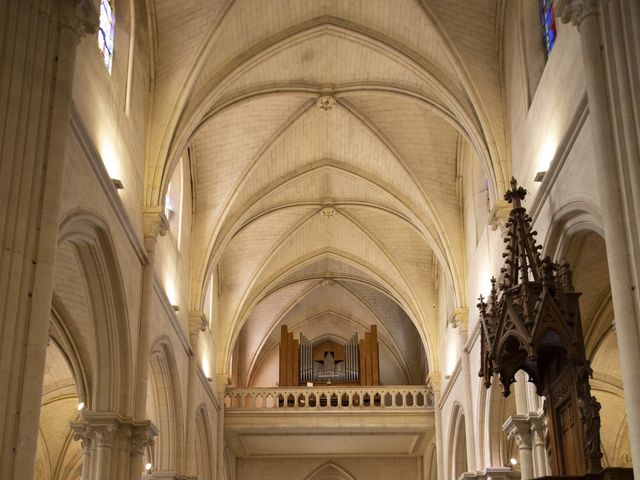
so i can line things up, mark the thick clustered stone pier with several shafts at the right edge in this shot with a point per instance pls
(620, 230)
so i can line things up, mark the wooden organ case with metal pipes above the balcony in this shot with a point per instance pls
(329, 362)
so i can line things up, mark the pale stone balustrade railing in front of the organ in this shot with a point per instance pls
(330, 398)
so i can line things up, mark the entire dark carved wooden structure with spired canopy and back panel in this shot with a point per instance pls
(531, 322)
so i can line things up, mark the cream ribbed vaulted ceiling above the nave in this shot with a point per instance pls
(325, 140)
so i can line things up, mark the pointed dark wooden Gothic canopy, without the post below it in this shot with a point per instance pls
(532, 317)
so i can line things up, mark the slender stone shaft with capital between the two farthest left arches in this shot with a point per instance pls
(197, 324)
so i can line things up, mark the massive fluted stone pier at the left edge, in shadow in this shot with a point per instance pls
(37, 58)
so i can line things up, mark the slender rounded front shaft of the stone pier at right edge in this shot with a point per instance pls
(624, 279)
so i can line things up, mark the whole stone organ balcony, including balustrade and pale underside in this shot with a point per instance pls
(329, 420)
